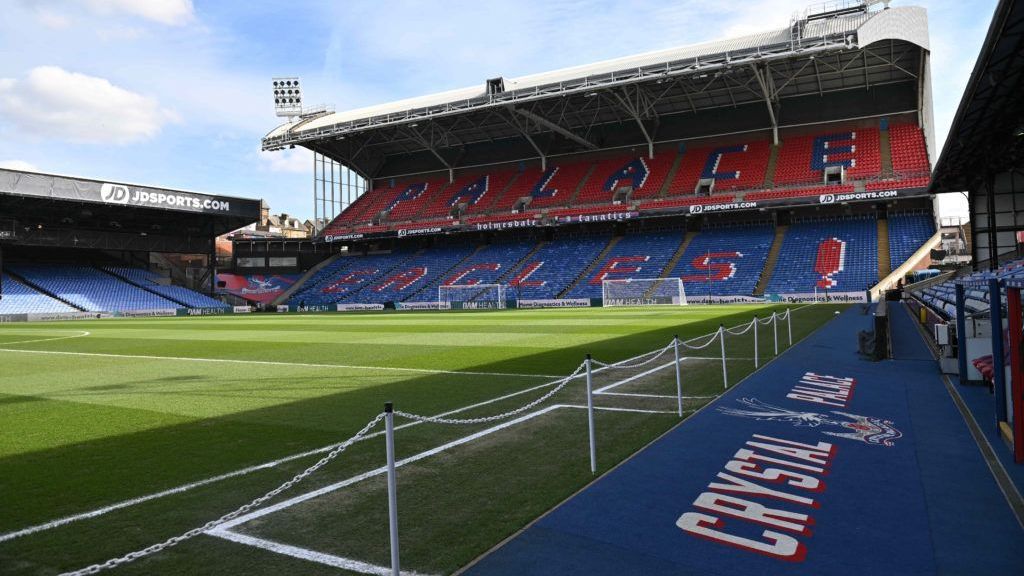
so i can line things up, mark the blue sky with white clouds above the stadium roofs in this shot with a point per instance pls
(177, 93)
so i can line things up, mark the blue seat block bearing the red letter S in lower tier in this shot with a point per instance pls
(726, 262)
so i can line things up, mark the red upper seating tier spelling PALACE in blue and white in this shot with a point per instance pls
(588, 185)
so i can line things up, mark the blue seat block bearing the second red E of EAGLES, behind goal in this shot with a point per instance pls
(635, 257)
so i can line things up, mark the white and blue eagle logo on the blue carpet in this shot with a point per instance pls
(869, 430)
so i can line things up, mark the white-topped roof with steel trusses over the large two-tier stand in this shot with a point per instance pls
(845, 48)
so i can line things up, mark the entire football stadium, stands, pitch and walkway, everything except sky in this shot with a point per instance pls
(694, 311)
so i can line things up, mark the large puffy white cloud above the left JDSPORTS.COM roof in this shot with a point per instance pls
(57, 104)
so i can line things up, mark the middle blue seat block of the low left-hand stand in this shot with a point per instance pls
(91, 290)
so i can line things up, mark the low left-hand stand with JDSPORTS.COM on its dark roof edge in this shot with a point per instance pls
(75, 248)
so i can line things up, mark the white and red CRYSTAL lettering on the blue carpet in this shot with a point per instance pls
(762, 503)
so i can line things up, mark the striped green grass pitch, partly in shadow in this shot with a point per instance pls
(131, 409)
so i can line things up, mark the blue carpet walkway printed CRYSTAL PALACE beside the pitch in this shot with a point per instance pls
(822, 464)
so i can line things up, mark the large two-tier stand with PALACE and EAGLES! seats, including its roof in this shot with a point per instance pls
(788, 163)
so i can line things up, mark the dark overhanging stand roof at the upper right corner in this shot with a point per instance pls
(988, 134)
